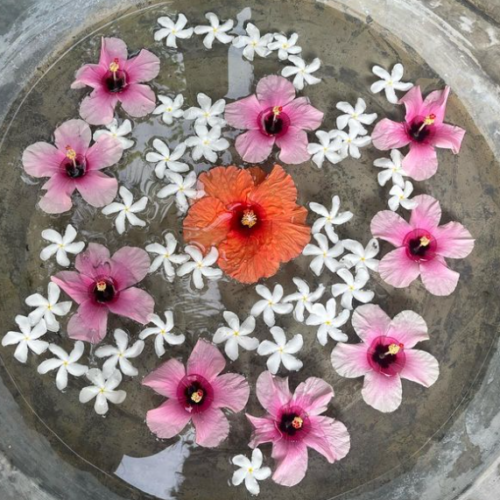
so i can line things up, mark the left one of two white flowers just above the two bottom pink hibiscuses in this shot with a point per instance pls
(236, 335)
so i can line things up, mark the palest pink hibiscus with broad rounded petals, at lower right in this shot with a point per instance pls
(386, 355)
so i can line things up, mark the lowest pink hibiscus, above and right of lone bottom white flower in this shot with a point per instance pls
(294, 423)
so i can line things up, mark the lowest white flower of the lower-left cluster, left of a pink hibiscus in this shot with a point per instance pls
(103, 390)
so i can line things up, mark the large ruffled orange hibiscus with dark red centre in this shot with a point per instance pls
(252, 219)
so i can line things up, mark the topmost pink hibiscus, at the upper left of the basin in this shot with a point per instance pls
(117, 79)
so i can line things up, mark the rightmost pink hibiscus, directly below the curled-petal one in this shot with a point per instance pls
(422, 246)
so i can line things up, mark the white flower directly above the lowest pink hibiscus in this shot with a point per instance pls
(281, 351)
